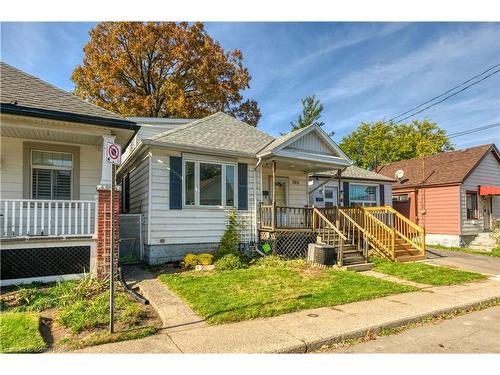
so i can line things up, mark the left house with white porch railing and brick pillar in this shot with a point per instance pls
(55, 181)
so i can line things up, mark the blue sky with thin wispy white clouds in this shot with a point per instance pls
(359, 71)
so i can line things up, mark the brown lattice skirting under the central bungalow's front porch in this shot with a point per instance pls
(289, 244)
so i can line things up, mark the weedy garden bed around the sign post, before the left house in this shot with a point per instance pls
(81, 309)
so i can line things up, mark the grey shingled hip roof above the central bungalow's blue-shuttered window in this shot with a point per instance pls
(218, 132)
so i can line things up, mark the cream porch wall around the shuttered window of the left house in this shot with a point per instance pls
(11, 186)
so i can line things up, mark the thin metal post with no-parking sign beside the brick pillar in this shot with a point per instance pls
(113, 156)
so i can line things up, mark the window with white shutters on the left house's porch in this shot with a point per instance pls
(51, 175)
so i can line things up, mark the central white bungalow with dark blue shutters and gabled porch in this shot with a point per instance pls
(184, 181)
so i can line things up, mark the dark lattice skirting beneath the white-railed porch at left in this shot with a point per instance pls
(38, 262)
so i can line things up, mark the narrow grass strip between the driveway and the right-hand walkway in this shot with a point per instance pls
(424, 273)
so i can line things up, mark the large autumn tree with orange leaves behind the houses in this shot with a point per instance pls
(162, 69)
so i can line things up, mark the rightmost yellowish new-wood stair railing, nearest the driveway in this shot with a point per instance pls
(406, 231)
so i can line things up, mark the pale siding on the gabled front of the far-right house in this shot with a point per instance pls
(486, 173)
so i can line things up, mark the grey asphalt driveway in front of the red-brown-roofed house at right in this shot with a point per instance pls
(464, 261)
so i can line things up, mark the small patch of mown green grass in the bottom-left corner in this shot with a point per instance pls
(19, 333)
